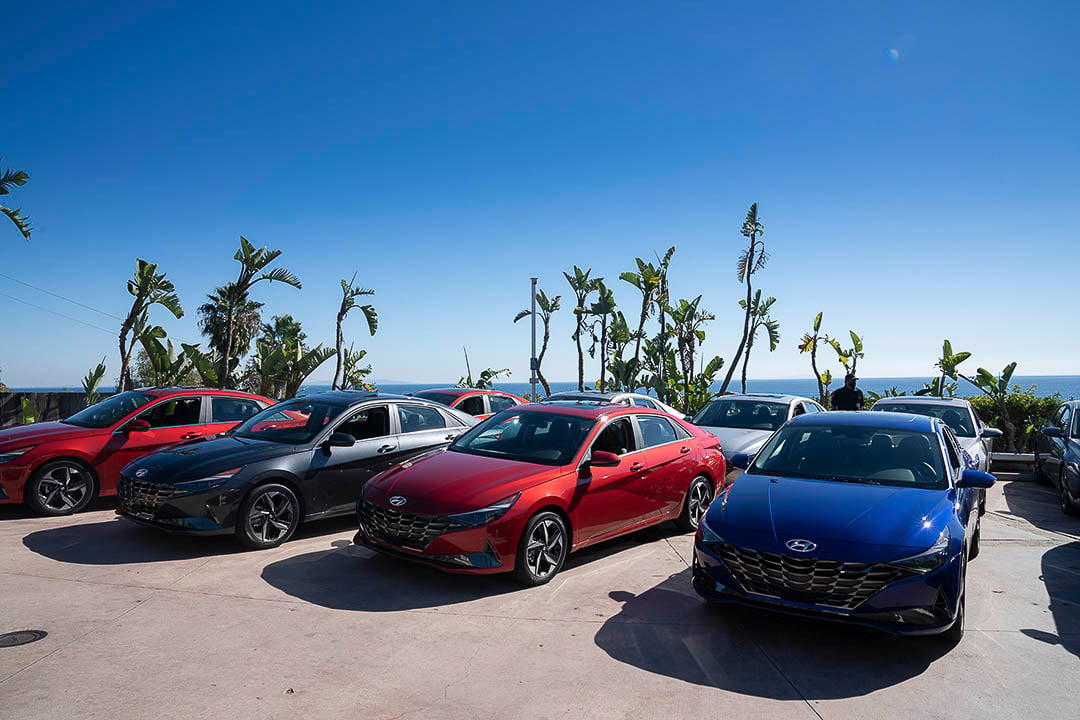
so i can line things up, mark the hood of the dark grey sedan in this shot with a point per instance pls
(204, 458)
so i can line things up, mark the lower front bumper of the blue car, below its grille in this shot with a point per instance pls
(921, 605)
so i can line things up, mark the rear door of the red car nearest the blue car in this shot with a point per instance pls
(672, 464)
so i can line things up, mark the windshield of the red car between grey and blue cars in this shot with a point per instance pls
(549, 439)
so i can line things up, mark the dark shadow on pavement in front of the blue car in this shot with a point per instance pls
(671, 632)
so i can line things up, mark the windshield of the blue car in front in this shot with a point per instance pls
(854, 454)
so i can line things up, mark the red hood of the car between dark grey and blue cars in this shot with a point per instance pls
(452, 482)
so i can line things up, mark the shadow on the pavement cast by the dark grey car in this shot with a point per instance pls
(123, 542)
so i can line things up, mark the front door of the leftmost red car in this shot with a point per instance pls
(172, 420)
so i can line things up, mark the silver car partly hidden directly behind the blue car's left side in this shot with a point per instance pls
(745, 423)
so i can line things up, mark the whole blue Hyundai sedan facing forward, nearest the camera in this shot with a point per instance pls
(862, 518)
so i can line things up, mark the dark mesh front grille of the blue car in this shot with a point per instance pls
(830, 583)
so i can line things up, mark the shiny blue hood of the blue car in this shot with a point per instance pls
(830, 513)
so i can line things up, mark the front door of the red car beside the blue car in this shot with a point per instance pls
(609, 500)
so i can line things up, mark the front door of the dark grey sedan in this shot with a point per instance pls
(340, 473)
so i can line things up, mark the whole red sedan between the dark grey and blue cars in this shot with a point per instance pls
(520, 492)
